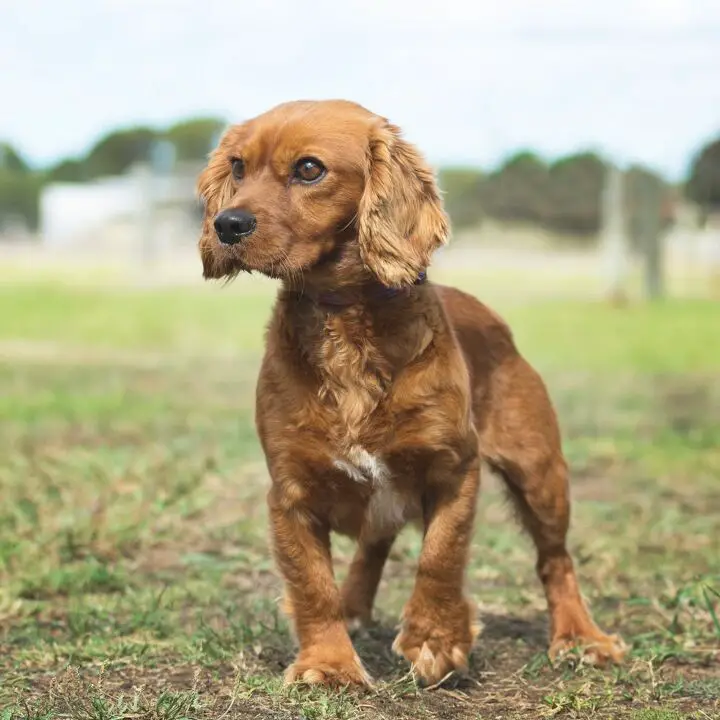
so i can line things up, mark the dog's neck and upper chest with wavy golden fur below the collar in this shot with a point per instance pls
(355, 344)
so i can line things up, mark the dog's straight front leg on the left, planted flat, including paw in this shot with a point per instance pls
(302, 551)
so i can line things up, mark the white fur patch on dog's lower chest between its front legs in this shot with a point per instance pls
(388, 509)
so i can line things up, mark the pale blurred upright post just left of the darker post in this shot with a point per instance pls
(613, 235)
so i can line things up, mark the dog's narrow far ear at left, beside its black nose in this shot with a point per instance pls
(214, 186)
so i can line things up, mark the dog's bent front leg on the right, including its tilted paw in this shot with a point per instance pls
(438, 621)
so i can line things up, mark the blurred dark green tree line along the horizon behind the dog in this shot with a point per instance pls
(564, 195)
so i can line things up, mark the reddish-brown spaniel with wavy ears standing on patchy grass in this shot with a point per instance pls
(380, 393)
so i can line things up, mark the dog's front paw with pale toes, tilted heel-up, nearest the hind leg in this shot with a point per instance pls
(436, 641)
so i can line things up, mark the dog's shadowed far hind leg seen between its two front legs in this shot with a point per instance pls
(360, 586)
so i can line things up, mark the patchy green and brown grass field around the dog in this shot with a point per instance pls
(135, 578)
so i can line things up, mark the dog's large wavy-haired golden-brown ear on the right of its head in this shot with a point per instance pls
(401, 219)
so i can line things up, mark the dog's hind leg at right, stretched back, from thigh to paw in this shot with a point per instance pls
(523, 443)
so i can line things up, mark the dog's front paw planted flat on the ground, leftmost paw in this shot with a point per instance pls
(327, 666)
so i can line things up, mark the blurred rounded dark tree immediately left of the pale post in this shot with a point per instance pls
(575, 194)
